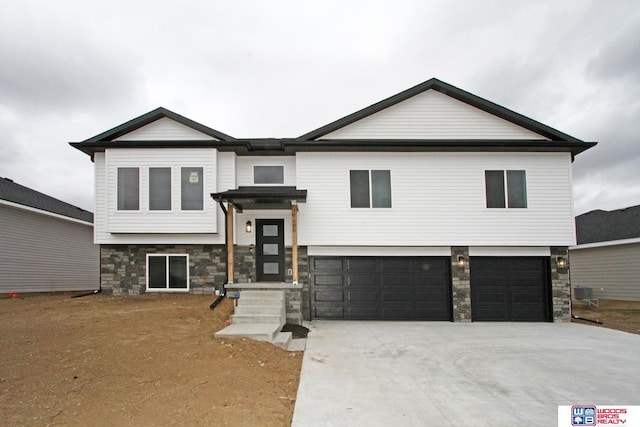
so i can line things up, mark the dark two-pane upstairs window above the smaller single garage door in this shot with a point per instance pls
(510, 192)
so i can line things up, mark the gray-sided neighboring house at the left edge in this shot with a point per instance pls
(46, 245)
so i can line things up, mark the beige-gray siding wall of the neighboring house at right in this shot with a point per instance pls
(614, 269)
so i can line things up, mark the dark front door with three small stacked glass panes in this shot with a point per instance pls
(270, 250)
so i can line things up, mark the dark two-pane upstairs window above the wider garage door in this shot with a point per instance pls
(370, 189)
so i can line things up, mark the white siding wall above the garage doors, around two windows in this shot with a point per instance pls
(438, 200)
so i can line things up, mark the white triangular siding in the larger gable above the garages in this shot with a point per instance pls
(432, 115)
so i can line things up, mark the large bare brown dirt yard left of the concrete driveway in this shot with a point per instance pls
(137, 361)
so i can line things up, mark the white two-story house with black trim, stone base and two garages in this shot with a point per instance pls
(433, 204)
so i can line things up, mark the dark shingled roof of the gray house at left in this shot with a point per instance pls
(16, 193)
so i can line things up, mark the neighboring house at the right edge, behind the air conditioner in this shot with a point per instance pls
(607, 257)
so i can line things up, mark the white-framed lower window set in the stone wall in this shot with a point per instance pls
(167, 272)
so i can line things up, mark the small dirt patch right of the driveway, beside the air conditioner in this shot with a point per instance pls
(620, 315)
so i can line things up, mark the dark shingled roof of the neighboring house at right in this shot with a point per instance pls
(604, 226)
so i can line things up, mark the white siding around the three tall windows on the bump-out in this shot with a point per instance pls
(176, 220)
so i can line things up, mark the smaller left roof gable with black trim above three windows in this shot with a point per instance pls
(151, 124)
